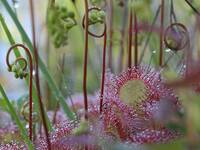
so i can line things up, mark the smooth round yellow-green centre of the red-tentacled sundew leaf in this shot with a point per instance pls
(133, 91)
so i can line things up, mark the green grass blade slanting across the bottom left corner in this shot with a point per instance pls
(17, 120)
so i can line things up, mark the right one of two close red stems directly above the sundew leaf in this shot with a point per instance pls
(136, 39)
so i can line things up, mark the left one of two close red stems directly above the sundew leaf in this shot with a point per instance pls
(130, 40)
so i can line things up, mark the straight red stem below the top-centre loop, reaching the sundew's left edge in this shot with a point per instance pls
(103, 70)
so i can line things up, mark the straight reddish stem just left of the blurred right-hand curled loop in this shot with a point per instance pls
(161, 33)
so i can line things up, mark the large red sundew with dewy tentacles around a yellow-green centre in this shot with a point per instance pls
(134, 97)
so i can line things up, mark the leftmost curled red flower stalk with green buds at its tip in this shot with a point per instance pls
(21, 72)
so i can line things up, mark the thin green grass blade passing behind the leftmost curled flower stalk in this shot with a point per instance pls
(17, 54)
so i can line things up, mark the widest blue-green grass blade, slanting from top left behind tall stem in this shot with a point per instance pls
(56, 92)
